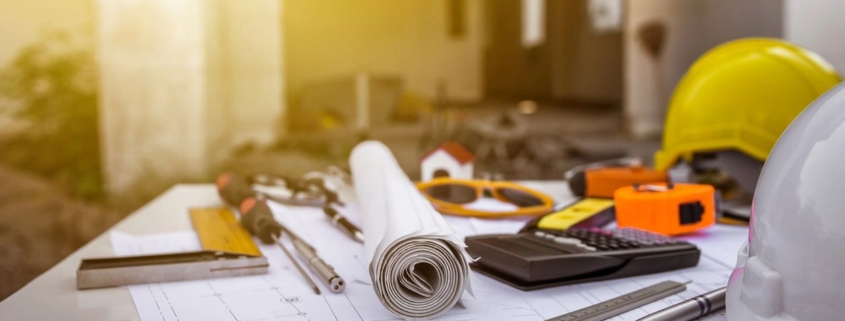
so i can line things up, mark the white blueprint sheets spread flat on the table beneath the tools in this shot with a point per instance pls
(283, 294)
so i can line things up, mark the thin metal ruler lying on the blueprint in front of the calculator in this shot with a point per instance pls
(624, 303)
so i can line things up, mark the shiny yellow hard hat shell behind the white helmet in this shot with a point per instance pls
(741, 96)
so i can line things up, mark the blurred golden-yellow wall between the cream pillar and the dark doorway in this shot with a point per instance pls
(328, 39)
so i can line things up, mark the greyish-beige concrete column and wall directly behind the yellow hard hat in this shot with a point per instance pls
(693, 27)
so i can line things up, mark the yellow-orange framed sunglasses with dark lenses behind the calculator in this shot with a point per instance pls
(466, 198)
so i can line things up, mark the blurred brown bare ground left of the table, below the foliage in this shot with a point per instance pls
(39, 227)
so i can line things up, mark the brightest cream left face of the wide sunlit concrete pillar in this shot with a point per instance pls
(153, 90)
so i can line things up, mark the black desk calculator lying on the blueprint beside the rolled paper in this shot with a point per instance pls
(545, 258)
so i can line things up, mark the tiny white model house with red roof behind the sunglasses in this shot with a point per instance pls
(448, 160)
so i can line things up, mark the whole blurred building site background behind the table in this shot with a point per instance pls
(104, 104)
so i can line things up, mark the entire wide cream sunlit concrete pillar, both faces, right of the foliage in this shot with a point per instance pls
(182, 82)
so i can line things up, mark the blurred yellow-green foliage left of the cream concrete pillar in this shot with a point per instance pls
(50, 89)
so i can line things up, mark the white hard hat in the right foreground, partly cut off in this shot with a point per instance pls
(793, 266)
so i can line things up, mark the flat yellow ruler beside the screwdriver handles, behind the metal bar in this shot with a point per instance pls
(219, 230)
